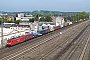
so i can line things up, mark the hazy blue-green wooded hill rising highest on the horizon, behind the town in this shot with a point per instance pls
(54, 12)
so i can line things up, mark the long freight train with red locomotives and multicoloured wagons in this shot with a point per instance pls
(26, 37)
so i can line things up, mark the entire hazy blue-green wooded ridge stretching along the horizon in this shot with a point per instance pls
(43, 12)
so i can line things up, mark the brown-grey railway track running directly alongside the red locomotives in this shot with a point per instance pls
(18, 46)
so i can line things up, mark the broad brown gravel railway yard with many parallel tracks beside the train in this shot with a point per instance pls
(69, 43)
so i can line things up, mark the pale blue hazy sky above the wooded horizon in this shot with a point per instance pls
(50, 5)
